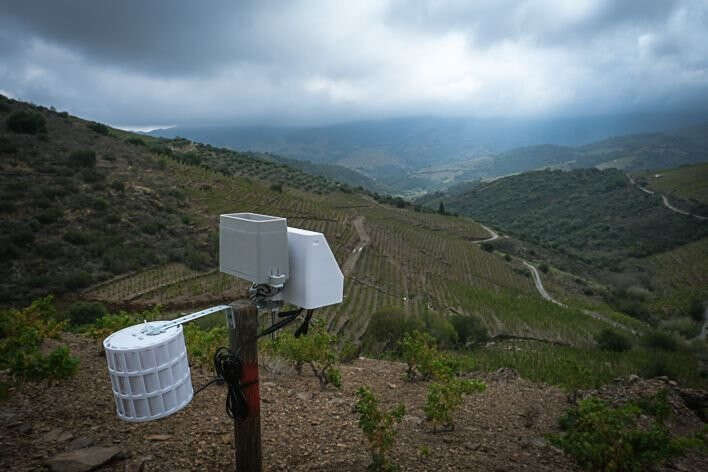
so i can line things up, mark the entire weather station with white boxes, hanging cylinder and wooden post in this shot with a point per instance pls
(148, 364)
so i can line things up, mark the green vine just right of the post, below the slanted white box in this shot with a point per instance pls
(316, 349)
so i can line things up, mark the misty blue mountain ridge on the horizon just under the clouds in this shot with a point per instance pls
(413, 143)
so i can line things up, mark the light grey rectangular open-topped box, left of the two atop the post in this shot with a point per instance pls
(254, 247)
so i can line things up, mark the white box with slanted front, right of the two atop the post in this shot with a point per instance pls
(315, 277)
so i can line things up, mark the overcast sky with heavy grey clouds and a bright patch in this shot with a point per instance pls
(147, 63)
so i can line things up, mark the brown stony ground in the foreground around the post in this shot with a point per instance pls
(303, 428)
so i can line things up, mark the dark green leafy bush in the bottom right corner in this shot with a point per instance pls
(602, 438)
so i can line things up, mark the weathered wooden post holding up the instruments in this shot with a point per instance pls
(243, 329)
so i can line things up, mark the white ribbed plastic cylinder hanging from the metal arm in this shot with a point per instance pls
(149, 374)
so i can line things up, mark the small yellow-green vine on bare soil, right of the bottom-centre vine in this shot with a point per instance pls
(445, 397)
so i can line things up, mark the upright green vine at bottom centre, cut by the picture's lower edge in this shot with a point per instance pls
(378, 427)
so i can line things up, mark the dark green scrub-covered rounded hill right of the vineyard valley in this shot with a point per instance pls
(595, 216)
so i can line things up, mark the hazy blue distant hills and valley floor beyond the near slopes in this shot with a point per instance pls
(409, 156)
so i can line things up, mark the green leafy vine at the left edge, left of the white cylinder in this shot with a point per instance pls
(22, 335)
